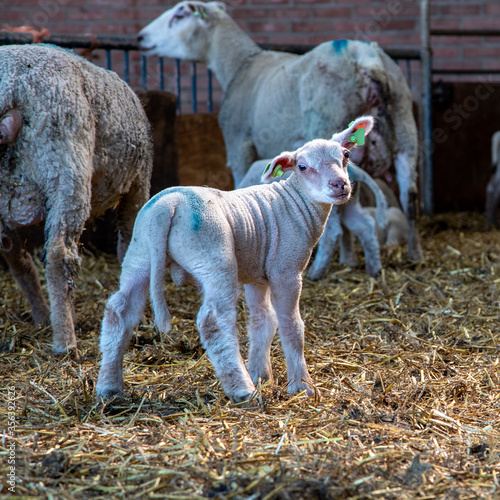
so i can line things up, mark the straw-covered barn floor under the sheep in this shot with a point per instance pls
(407, 365)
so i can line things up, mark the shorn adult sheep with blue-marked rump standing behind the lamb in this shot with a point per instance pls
(274, 100)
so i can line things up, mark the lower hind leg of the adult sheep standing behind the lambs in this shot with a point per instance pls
(409, 202)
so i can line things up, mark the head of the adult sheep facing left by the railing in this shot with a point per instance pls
(182, 32)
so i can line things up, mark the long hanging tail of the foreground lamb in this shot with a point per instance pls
(159, 231)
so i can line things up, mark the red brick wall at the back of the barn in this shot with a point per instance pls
(393, 23)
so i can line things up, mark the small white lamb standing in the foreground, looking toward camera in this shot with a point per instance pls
(261, 236)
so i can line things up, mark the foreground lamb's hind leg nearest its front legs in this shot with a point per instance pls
(216, 323)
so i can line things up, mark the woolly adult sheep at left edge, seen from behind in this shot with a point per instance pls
(74, 141)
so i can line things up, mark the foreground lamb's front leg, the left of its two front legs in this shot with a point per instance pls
(262, 325)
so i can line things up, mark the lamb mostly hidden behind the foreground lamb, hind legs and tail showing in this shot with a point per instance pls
(350, 216)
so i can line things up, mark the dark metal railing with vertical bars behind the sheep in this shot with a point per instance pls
(90, 44)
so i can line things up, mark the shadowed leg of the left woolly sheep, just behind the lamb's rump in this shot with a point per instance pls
(127, 211)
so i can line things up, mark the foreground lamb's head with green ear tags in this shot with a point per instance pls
(321, 165)
